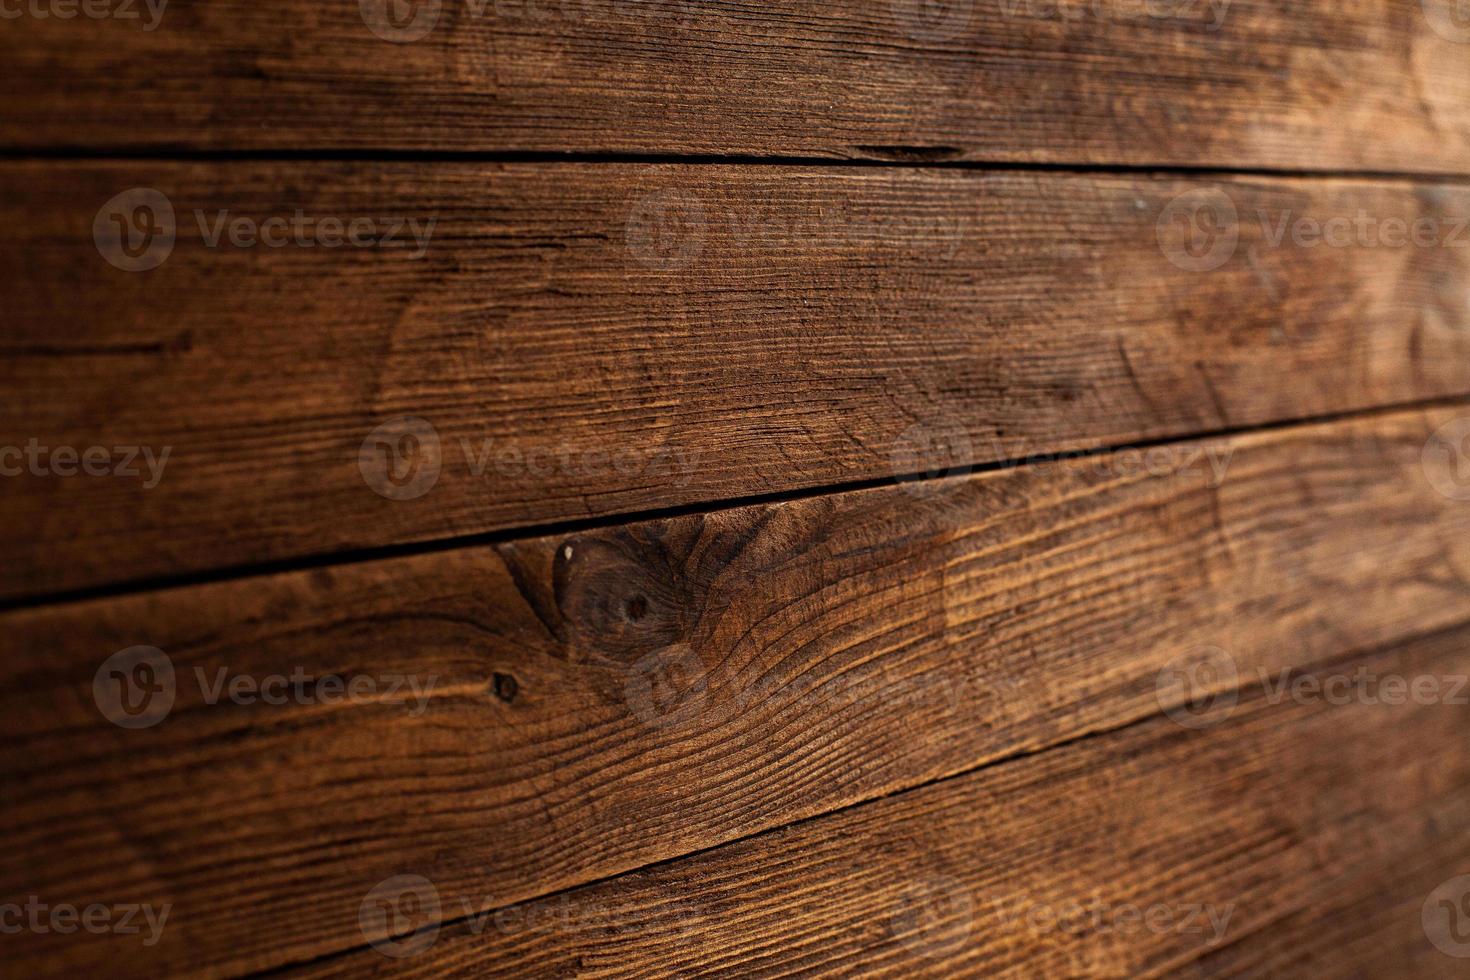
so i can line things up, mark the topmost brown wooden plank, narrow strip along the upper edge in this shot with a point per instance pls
(1299, 84)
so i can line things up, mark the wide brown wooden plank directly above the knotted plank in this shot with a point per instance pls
(580, 342)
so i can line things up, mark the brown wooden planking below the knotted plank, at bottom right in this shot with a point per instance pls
(1227, 851)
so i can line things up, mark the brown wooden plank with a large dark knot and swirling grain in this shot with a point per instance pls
(599, 702)
